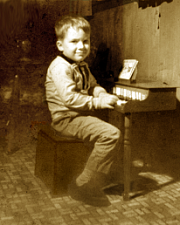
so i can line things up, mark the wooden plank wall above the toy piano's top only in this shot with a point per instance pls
(150, 35)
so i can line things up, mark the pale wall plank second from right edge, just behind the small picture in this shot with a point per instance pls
(145, 38)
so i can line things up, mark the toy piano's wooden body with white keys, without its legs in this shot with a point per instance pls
(144, 97)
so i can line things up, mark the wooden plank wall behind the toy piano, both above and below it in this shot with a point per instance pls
(152, 36)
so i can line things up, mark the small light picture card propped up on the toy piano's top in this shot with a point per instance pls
(129, 70)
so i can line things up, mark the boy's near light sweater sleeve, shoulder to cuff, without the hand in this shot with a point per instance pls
(62, 76)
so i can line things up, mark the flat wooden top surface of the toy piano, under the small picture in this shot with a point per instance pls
(146, 84)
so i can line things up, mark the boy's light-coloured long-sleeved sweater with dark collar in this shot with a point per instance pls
(67, 93)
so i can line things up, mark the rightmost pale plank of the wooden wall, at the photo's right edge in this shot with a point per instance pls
(169, 43)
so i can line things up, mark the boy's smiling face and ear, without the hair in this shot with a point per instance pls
(75, 45)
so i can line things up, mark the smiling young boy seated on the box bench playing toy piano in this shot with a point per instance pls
(71, 91)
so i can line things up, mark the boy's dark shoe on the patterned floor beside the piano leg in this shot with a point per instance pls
(88, 193)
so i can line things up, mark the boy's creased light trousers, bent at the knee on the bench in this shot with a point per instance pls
(100, 137)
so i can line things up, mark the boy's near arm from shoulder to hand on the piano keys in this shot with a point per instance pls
(72, 98)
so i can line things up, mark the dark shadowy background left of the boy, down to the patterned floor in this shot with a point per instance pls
(20, 20)
